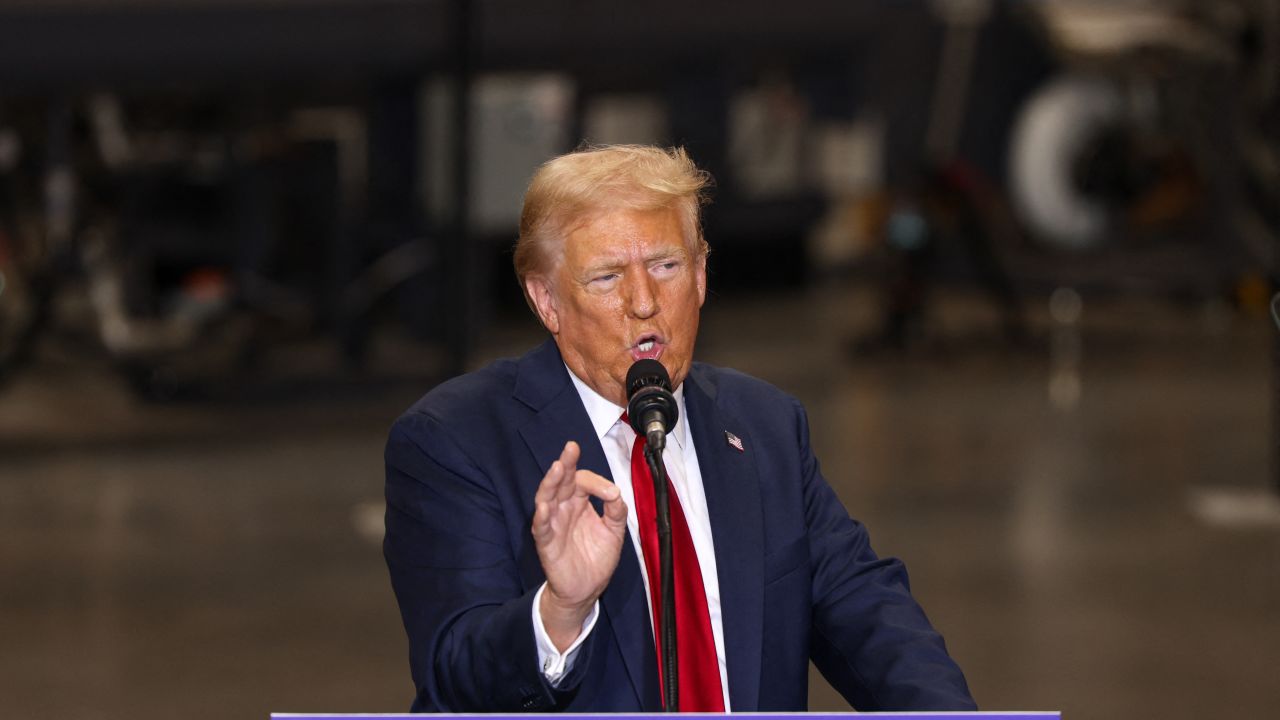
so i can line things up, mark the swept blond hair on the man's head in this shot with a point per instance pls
(573, 186)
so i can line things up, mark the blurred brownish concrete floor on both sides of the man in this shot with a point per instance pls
(222, 559)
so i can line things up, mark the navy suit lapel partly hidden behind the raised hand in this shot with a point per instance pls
(543, 384)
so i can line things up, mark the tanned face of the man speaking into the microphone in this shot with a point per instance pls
(625, 288)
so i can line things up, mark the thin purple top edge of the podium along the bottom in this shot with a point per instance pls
(1022, 716)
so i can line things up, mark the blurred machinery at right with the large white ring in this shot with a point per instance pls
(1146, 157)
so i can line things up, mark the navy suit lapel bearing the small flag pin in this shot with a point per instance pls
(733, 489)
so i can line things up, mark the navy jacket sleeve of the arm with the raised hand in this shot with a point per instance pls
(455, 575)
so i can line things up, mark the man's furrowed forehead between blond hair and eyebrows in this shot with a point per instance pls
(624, 235)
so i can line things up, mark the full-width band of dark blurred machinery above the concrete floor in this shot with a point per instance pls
(182, 186)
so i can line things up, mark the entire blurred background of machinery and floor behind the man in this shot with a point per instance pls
(1016, 258)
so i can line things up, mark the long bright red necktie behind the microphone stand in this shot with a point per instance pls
(696, 648)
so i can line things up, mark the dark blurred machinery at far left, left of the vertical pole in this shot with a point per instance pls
(176, 238)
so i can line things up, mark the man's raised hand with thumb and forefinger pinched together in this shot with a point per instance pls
(578, 548)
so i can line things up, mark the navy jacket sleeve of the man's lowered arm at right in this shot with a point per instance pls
(870, 637)
